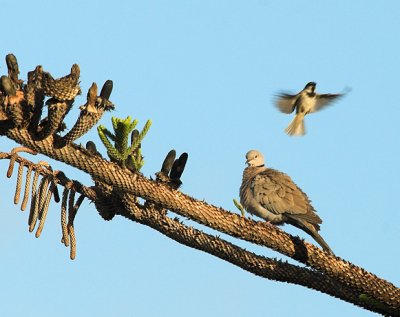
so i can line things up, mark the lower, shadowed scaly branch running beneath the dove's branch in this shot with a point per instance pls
(265, 267)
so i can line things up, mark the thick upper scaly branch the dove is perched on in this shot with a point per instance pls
(217, 218)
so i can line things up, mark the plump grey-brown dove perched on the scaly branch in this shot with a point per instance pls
(272, 195)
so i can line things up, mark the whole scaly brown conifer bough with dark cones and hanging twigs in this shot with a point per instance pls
(116, 189)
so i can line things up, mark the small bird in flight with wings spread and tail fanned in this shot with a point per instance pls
(305, 102)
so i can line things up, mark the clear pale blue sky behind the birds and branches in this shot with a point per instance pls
(206, 72)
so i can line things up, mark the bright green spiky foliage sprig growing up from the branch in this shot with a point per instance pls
(120, 152)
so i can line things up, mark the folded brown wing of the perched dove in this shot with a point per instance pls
(276, 192)
